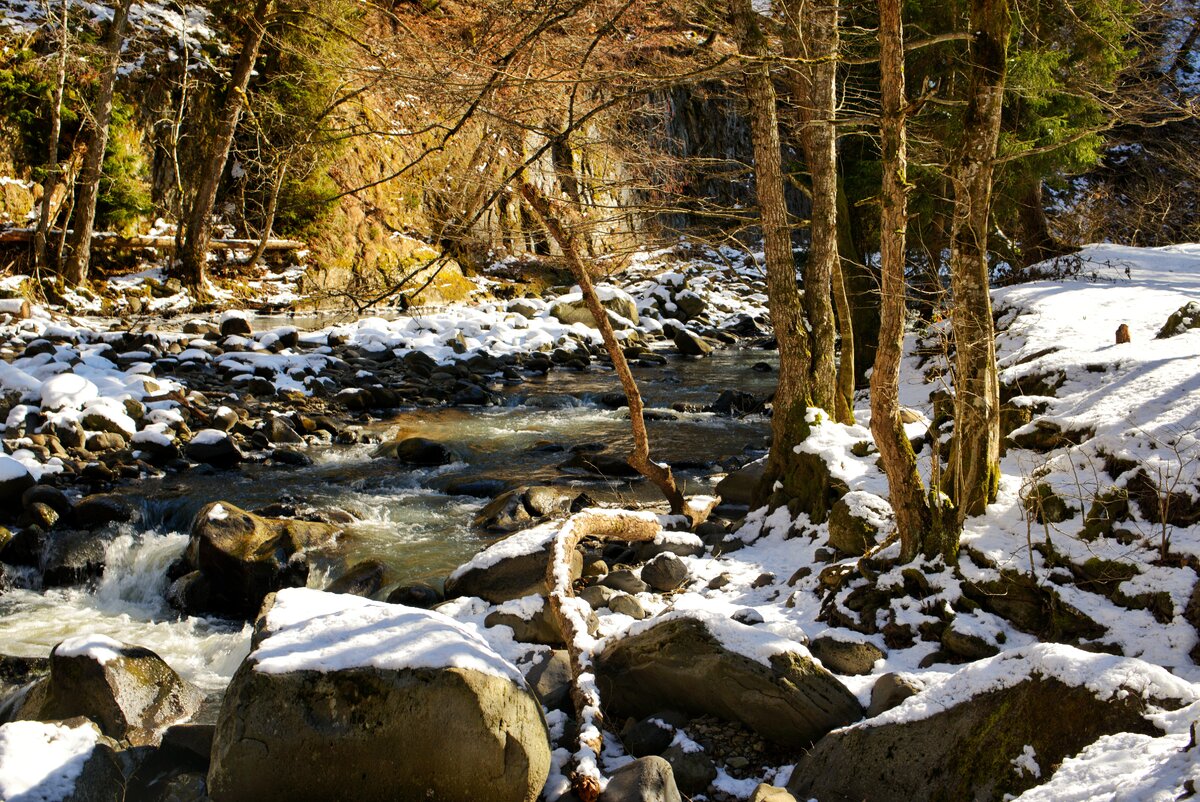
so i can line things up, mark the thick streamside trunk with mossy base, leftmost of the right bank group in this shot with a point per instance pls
(784, 478)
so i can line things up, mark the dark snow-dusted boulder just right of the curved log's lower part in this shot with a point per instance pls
(679, 662)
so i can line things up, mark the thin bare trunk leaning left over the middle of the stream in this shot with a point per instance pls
(640, 457)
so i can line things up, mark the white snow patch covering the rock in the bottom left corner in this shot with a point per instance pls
(41, 762)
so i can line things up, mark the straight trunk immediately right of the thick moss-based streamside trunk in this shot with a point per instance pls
(812, 43)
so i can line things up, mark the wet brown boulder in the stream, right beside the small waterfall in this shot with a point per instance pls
(238, 558)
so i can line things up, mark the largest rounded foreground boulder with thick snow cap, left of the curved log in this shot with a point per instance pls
(346, 698)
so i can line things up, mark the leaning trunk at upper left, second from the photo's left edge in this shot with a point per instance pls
(75, 272)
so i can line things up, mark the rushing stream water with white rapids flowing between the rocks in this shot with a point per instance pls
(407, 520)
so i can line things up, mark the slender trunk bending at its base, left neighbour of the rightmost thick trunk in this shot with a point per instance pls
(905, 488)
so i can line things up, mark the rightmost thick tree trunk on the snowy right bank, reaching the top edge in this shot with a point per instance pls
(975, 459)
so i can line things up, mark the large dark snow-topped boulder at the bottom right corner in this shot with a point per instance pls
(968, 737)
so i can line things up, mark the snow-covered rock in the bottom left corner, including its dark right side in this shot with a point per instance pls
(41, 745)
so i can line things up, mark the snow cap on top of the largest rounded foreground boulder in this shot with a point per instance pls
(313, 631)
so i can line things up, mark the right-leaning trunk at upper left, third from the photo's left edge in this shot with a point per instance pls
(195, 254)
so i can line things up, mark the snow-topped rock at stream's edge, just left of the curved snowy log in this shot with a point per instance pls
(511, 570)
